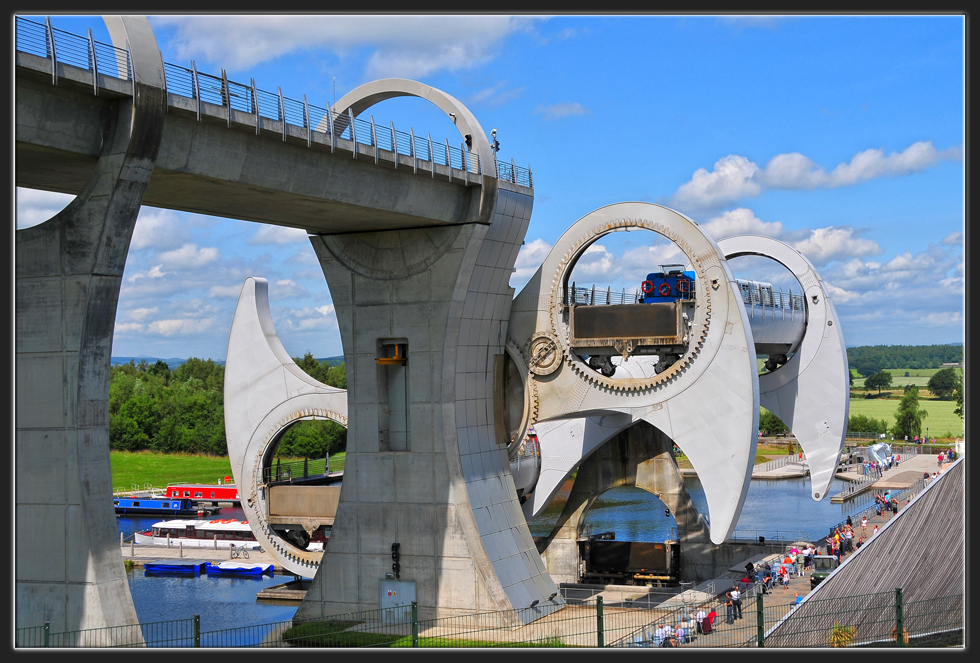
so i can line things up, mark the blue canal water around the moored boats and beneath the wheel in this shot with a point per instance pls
(774, 509)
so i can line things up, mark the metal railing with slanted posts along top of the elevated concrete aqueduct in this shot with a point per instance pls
(42, 40)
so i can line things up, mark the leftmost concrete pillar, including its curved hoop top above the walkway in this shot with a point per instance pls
(69, 569)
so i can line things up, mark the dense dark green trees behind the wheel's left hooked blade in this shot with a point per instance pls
(154, 408)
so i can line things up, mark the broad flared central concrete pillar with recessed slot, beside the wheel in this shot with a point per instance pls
(426, 462)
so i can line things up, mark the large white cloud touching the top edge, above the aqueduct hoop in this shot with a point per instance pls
(410, 46)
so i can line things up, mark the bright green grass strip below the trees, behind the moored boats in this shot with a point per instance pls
(147, 469)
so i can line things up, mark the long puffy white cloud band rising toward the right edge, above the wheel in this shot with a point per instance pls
(735, 177)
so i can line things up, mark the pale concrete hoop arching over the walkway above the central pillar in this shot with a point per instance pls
(361, 98)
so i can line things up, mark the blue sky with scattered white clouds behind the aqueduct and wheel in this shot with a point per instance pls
(840, 135)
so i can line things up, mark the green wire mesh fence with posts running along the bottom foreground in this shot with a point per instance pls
(767, 621)
